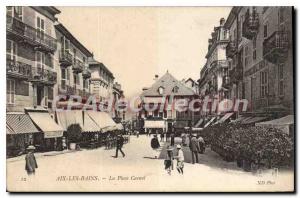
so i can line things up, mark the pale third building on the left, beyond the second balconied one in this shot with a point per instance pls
(101, 81)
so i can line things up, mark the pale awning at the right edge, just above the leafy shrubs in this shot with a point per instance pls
(281, 123)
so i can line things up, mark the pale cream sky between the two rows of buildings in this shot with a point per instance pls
(136, 43)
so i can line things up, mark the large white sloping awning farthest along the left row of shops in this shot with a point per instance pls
(102, 119)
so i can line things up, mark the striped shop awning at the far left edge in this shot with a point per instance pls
(19, 123)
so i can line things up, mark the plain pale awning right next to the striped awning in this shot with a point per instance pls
(47, 125)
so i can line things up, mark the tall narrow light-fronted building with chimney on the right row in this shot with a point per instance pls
(214, 75)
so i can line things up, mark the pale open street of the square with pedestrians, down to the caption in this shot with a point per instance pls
(98, 170)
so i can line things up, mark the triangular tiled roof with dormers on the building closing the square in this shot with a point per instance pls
(168, 82)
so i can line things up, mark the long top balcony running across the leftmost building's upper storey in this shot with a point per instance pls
(25, 33)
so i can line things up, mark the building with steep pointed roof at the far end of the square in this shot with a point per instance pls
(164, 93)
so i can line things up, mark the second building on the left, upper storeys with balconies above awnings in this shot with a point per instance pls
(73, 69)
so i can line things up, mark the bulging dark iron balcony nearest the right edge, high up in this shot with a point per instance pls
(275, 47)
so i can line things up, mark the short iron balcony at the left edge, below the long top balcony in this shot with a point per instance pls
(18, 69)
